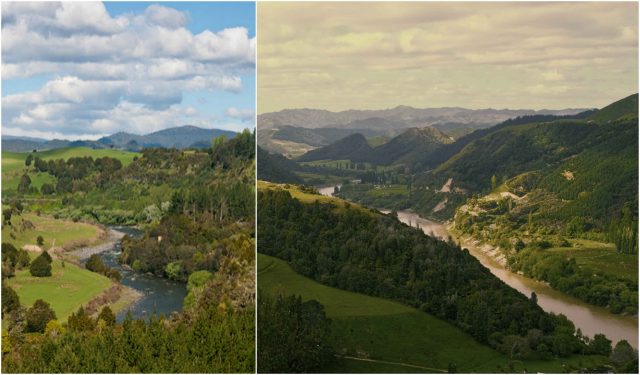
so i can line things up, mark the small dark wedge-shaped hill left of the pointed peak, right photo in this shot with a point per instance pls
(354, 147)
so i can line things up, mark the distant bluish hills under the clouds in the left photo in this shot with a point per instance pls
(176, 137)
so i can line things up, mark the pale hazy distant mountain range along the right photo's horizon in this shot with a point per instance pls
(289, 129)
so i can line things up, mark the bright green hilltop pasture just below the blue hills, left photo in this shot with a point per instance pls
(13, 163)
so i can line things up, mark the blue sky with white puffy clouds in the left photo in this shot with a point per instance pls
(82, 70)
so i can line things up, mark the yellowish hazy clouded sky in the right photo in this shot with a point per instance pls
(338, 56)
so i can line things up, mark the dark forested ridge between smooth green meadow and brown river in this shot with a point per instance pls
(357, 250)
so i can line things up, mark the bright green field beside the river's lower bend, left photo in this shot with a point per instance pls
(66, 290)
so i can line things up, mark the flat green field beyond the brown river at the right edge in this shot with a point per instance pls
(602, 257)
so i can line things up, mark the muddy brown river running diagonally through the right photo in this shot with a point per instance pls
(590, 319)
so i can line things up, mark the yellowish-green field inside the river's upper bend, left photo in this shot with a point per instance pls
(66, 233)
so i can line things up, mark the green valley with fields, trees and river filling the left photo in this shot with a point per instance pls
(103, 243)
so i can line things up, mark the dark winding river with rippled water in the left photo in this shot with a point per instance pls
(159, 295)
